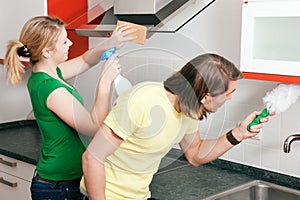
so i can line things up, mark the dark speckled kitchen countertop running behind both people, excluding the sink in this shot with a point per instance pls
(176, 179)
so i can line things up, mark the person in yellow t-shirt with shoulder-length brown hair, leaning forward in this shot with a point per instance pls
(149, 119)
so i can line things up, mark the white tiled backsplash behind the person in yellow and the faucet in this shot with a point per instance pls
(266, 152)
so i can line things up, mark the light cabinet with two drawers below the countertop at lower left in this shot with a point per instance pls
(15, 178)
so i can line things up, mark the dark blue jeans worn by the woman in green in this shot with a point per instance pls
(53, 191)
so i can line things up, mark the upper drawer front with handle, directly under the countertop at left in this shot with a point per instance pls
(16, 167)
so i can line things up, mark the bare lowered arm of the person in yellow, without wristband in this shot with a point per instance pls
(104, 143)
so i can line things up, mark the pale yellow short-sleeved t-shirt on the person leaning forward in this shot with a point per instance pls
(149, 125)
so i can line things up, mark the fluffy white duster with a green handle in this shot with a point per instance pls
(278, 100)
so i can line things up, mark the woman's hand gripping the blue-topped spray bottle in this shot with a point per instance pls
(111, 68)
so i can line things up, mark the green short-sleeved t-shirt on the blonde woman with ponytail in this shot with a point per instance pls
(61, 152)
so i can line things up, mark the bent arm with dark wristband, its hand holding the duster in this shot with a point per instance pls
(199, 151)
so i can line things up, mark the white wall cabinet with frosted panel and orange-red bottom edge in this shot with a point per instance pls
(270, 40)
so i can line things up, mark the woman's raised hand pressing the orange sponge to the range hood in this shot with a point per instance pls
(121, 35)
